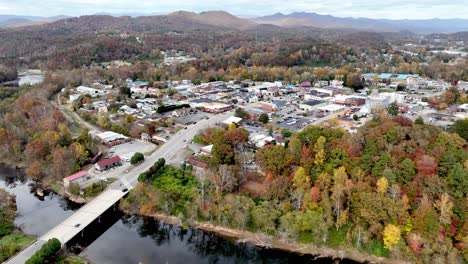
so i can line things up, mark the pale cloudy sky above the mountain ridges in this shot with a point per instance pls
(390, 9)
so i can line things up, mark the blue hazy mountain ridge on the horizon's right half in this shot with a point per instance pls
(426, 26)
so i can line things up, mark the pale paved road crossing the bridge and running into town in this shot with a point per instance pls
(91, 211)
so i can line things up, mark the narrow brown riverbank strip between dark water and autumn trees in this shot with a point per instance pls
(265, 241)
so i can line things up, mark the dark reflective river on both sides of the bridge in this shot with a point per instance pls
(121, 239)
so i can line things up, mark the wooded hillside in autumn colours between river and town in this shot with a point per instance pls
(394, 189)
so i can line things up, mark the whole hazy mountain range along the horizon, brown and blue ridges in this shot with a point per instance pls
(294, 20)
